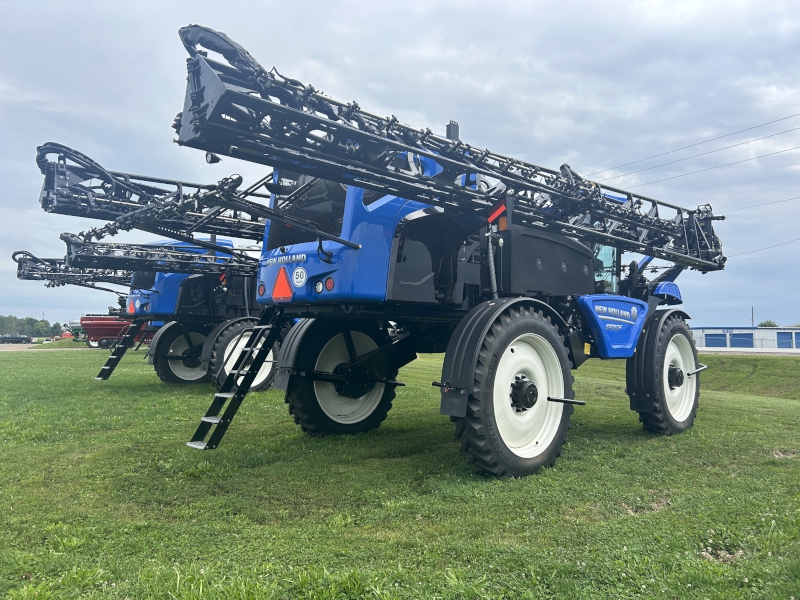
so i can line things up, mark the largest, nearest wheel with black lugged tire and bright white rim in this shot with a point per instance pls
(511, 429)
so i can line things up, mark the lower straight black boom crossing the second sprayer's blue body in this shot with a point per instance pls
(164, 258)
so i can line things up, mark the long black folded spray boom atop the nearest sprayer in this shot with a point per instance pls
(243, 110)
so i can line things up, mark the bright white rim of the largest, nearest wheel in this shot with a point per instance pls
(529, 433)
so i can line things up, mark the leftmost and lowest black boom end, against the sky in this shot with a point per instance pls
(55, 272)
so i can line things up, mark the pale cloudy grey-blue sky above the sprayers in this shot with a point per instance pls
(594, 84)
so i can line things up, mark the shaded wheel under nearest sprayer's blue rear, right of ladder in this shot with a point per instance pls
(316, 405)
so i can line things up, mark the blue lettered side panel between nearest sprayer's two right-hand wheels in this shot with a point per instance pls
(616, 323)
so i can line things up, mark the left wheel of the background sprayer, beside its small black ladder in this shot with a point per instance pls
(174, 344)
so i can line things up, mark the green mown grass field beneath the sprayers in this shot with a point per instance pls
(99, 496)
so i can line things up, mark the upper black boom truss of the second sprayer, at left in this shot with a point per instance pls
(76, 185)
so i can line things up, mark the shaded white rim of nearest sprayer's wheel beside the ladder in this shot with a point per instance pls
(341, 409)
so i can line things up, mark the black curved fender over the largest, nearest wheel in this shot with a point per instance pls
(461, 357)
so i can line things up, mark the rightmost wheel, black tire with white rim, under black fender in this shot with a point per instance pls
(667, 400)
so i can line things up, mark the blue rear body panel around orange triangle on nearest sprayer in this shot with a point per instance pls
(358, 275)
